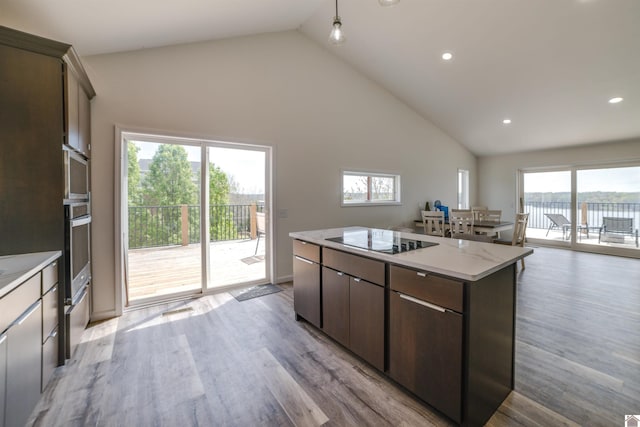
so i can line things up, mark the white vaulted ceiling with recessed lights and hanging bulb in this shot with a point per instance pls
(550, 66)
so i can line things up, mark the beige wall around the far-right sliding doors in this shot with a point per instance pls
(497, 175)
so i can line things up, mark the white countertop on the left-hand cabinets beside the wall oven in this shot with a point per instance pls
(15, 269)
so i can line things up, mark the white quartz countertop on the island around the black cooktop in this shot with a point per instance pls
(461, 259)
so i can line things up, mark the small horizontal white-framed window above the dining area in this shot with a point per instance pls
(366, 188)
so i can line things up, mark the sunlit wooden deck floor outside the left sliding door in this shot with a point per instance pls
(166, 270)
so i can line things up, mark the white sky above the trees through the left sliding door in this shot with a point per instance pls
(245, 166)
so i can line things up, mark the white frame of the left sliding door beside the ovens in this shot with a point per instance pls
(121, 221)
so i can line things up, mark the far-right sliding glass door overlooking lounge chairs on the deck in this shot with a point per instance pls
(588, 208)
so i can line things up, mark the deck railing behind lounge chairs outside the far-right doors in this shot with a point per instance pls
(588, 213)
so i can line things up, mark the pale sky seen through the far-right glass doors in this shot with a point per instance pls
(625, 179)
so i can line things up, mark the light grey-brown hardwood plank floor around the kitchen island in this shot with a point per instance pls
(216, 361)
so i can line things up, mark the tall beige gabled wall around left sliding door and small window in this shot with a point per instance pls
(281, 90)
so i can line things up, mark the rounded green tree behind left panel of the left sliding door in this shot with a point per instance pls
(169, 182)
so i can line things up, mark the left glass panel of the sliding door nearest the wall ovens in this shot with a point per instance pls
(164, 244)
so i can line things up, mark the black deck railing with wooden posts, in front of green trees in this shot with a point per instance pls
(152, 226)
